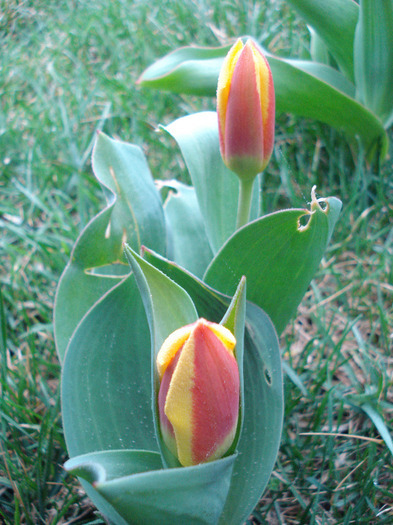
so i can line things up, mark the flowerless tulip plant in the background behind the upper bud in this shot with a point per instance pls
(347, 83)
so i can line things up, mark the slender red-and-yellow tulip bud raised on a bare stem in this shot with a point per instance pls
(246, 110)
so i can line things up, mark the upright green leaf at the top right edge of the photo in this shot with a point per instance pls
(374, 58)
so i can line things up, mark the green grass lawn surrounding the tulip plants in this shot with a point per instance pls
(69, 69)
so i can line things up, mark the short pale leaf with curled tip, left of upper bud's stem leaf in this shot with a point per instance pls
(186, 230)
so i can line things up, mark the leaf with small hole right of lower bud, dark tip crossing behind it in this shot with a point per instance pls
(263, 397)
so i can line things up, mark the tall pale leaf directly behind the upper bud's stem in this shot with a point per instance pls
(216, 187)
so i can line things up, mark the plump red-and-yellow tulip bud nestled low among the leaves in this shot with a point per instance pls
(198, 399)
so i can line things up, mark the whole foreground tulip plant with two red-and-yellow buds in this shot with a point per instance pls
(167, 317)
